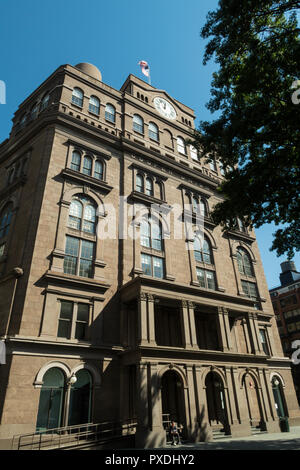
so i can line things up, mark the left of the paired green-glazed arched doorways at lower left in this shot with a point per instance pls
(50, 411)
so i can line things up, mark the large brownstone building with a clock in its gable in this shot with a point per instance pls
(109, 315)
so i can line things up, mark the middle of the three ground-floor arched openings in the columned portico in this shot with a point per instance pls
(216, 401)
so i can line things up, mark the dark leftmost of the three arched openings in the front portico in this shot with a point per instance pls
(172, 395)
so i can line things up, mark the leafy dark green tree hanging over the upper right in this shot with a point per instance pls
(256, 134)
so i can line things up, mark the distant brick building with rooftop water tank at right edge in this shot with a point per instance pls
(286, 305)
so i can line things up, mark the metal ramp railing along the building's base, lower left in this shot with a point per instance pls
(73, 436)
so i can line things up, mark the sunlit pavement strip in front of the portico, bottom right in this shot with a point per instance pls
(273, 441)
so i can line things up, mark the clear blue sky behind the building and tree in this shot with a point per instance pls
(37, 36)
